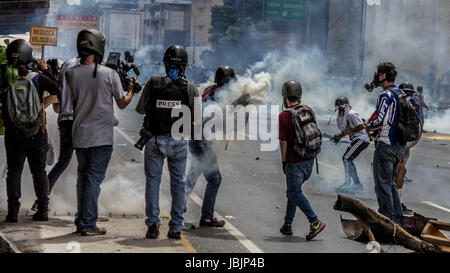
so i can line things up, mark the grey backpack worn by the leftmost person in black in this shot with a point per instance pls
(24, 107)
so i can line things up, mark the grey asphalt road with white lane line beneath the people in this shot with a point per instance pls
(252, 196)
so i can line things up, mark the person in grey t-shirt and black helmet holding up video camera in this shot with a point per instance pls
(92, 88)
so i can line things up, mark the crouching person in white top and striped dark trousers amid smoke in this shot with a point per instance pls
(350, 123)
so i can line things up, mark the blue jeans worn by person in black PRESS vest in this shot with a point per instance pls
(156, 150)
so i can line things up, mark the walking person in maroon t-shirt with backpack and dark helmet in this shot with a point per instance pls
(297, 159)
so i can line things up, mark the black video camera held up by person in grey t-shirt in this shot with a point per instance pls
(123, 68)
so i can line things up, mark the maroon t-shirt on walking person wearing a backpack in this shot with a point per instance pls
(286, 132)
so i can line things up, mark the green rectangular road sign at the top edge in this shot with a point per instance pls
(285, 9)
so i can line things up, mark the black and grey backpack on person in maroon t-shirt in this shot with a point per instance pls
(308, 137)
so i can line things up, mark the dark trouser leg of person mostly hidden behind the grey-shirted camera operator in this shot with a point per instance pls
(65, 152)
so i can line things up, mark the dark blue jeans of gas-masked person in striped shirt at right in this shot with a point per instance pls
(386, 160)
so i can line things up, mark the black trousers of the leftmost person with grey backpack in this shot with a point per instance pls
(34, 149)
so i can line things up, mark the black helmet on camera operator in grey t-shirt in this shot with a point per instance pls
(91, 41)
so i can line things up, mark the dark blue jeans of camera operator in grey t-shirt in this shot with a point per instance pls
(92, 165)
